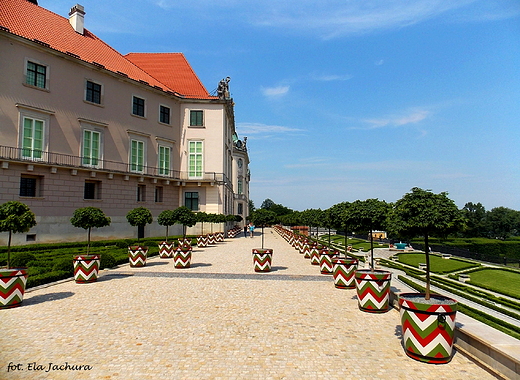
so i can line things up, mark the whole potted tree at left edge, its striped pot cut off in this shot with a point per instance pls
(15, 217)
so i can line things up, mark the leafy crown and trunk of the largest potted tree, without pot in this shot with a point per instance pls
(423, 213)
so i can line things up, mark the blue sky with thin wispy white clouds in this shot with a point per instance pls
(352, 99)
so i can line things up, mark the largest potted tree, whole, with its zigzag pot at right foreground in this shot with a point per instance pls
(423, 213)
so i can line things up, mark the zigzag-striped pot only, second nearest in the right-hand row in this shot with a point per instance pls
(373, 290)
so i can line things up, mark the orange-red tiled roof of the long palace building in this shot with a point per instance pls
(33, 22)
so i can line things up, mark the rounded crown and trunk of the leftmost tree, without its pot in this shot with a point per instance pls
(15, 217)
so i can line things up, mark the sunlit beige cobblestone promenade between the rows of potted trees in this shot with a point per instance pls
(215, 320)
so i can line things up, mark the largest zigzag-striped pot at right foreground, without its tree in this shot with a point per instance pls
(428, 327)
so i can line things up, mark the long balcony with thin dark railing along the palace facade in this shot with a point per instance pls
(57, 159)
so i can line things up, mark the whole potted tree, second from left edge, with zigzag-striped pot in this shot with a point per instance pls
(86, 267)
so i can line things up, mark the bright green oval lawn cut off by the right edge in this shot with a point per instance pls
(499, 280)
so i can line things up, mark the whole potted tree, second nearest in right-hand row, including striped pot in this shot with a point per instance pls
(372, 286)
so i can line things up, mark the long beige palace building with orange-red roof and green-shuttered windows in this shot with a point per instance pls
(82, 125)
